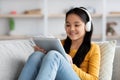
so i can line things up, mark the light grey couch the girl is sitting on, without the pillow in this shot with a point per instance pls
(14, 53)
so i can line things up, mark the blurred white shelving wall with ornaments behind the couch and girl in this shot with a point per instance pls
(25, 18)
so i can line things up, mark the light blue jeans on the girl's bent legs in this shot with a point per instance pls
(50, 66)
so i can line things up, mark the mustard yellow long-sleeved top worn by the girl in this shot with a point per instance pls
(89, 69)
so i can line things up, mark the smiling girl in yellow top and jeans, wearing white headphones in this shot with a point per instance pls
(83, 56)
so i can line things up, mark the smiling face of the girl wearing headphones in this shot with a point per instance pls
(75, 27)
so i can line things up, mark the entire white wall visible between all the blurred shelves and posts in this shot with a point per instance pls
(34, 26)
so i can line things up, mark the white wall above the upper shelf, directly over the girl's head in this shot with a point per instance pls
(55, 6)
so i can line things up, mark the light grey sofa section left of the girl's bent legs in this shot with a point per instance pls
(14, 53)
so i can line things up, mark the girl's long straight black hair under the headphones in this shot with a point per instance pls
(86, 44)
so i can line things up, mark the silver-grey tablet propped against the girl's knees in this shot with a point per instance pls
(50, 44)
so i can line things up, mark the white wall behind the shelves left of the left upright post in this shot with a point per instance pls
(23, 26)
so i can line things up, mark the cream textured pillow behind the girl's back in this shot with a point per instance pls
(107, 49)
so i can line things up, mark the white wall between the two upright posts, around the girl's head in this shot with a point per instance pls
(56, 25)
